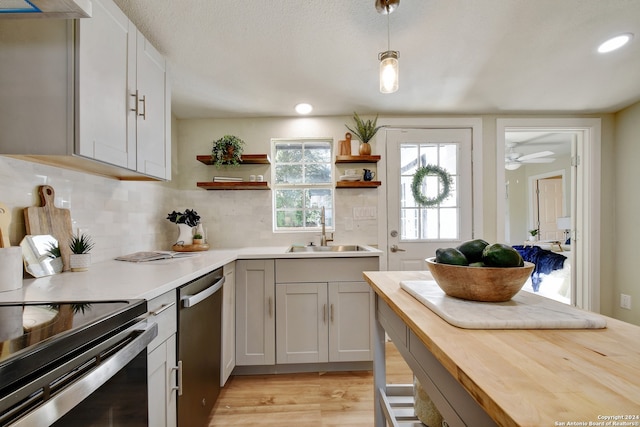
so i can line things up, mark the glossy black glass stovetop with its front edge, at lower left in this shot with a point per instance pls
(34, 336)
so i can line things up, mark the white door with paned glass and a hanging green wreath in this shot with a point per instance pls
(416, 231)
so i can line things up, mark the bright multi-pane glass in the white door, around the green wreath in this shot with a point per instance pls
(438, 222)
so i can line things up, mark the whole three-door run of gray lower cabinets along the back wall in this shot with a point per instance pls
(306, 310)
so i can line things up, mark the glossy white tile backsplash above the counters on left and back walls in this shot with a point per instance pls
(129, 216)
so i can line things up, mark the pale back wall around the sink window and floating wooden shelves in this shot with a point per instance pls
(244, 218)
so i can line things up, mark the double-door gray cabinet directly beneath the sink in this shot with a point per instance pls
(324, 310)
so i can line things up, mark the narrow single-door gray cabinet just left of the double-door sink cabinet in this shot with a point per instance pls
(255, 312)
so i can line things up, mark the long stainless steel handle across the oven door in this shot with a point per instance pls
(76, 392)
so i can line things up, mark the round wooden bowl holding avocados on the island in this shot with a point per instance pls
(490, 284)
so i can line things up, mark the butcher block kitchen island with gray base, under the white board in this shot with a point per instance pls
(507, 377)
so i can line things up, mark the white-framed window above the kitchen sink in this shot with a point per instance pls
(303, 184)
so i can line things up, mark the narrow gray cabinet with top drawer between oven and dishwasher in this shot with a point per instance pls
(161, 361)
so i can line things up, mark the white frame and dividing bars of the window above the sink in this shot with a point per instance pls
(329, 185)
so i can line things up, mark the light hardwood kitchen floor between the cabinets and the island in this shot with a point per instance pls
(328, 399)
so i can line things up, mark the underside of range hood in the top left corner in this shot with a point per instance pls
(62, 9)
